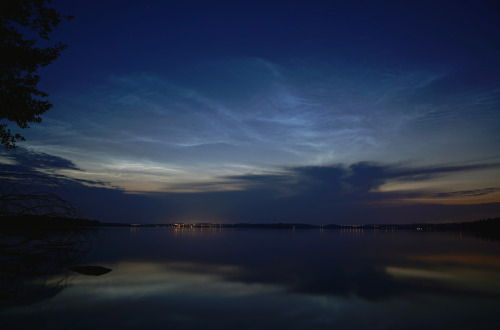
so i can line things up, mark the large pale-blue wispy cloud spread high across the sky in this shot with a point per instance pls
(254, 112)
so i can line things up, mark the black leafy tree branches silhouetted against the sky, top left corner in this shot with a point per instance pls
(23, 23)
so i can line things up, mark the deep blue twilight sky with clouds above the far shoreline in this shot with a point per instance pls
(273, 111)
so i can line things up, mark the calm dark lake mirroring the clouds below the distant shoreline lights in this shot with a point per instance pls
(165, 278)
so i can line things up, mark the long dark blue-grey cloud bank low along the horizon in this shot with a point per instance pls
(318, 194)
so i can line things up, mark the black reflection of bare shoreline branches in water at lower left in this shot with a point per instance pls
(33, 264)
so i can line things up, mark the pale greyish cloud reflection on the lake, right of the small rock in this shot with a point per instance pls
(148, 279)
